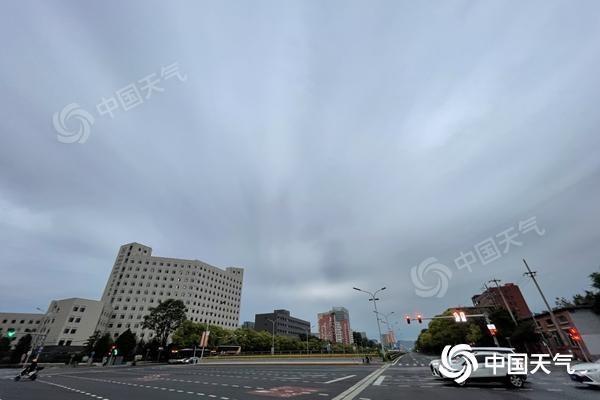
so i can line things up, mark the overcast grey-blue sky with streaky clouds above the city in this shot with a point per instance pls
(319, 145)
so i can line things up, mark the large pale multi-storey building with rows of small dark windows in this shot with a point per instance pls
(139, 281)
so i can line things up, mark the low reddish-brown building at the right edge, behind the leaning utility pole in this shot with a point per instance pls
(581, 327)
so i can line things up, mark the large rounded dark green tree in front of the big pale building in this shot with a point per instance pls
(165, 318)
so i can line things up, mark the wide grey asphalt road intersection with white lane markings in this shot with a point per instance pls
(409, 377)
